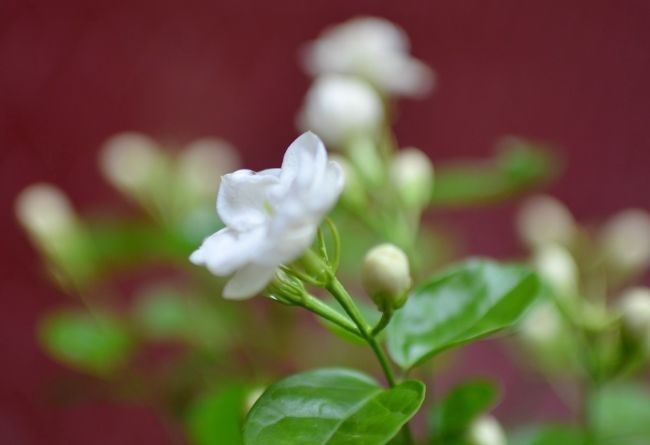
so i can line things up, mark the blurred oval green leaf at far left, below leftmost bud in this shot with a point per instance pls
(95, 343)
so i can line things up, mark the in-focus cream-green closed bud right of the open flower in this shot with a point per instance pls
(386, 277)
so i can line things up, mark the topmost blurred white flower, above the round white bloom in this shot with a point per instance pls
(374, 49)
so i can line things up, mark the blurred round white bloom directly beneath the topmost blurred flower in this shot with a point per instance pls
(339, 108)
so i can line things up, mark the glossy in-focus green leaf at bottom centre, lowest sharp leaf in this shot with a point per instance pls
(333, 407)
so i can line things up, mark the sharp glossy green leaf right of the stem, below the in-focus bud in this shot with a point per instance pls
(469, 301)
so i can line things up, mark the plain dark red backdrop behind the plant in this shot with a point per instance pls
(574, 73)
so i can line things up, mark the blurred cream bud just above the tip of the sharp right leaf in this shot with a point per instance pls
(558, 269)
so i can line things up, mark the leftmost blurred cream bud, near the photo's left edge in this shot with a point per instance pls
(45, 211)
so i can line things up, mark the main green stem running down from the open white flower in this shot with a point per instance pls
(345, 300)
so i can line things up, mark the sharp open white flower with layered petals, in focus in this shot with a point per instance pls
(271, 216)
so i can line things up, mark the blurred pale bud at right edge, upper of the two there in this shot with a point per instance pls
(626, 239)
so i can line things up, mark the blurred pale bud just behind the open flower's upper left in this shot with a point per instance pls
(201, 161)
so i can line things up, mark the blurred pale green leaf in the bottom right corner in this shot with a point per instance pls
(621, 414)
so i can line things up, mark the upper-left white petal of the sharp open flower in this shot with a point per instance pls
(243, 198)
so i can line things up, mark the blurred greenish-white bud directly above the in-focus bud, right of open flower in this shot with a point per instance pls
(412, 175)
